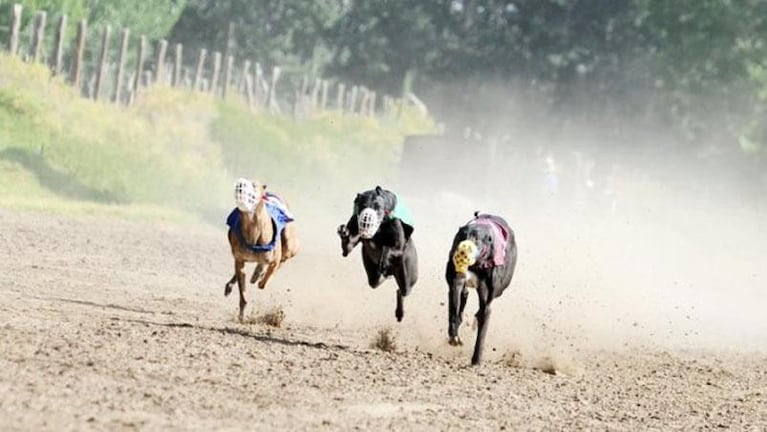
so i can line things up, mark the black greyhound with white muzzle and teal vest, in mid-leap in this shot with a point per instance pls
(387, 247)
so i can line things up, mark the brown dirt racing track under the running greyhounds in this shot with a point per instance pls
(114, 325)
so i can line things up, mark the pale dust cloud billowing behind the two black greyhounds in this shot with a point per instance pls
(624, 242)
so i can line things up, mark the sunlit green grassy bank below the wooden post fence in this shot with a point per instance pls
(174, 149)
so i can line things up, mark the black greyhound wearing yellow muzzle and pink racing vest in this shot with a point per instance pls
(483, 256)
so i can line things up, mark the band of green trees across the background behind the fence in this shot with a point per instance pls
(695, 65)
